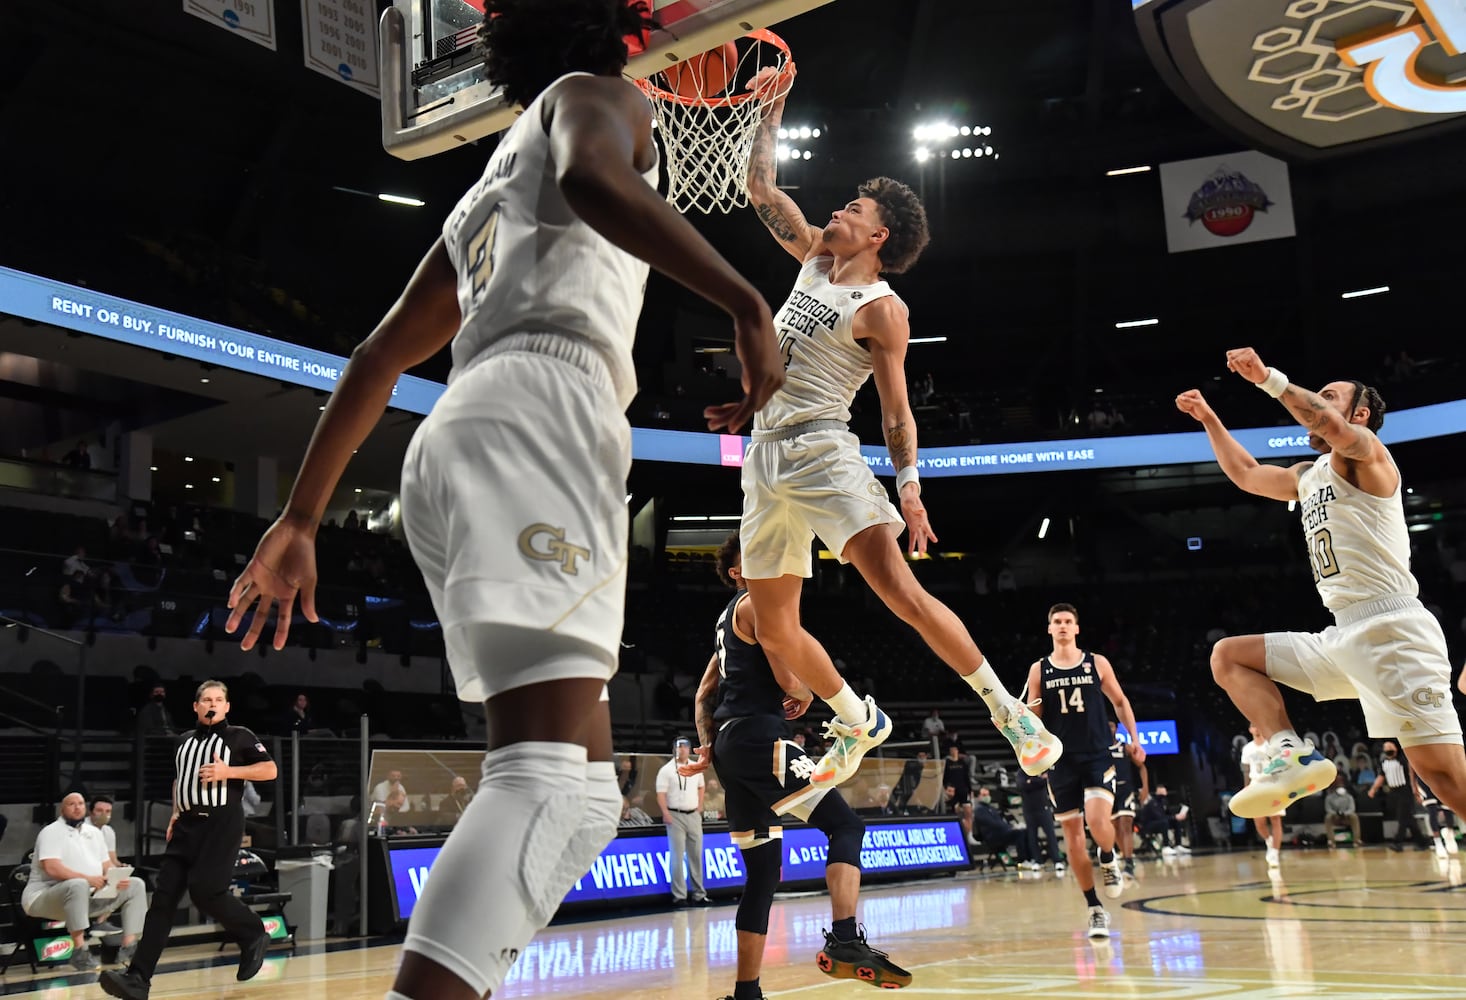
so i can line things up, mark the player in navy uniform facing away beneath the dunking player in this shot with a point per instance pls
(744, 703)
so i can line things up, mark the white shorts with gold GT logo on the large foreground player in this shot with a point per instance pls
(514, 504)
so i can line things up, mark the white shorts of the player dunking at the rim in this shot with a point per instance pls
(807, 486)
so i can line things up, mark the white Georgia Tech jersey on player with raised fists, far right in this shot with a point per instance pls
(1358, 543)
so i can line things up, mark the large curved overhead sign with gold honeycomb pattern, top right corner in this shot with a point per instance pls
(1313, 78)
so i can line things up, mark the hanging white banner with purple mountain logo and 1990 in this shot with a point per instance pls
(1223, 202)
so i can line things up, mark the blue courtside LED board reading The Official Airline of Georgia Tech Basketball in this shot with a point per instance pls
(640, 867)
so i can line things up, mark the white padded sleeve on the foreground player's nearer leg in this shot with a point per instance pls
(483, 905)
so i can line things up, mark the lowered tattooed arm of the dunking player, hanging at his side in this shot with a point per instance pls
(886, 331)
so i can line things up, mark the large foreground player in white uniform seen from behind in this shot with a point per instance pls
(512, 489)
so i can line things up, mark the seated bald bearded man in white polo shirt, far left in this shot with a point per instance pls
(70, 867)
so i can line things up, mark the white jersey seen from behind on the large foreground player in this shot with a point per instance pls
(527, 263)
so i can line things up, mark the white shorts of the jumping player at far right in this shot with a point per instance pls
(1391, 656)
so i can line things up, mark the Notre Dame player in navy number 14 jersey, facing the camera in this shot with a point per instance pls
(1068, 688)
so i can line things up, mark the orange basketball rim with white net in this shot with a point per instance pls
(709, 139)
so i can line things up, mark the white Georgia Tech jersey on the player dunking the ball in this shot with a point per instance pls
(825, 366)
